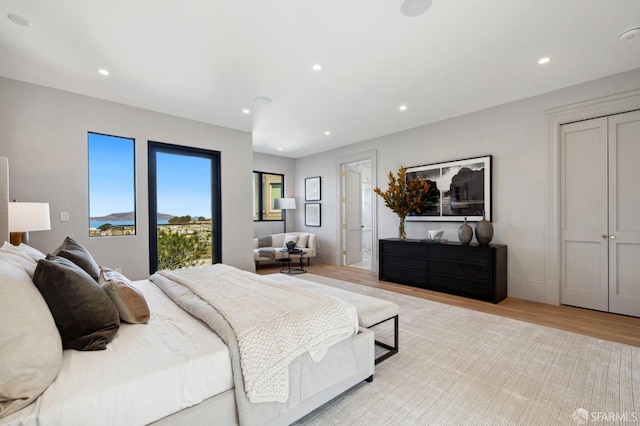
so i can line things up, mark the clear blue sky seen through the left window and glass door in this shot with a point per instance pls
(184, 183)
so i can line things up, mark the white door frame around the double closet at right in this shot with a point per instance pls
(554, 118)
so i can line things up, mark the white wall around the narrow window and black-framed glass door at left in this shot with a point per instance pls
(43, 132)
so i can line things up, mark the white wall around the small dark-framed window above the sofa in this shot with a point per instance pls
(280, 165)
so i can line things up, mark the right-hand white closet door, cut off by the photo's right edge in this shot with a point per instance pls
(624, 213)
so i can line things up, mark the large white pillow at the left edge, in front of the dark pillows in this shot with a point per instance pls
(30, 344)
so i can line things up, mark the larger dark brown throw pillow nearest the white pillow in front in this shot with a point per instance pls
(85, 316)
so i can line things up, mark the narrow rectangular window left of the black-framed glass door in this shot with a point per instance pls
(112, 197)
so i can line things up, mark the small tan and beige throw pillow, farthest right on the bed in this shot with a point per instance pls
(130, 303)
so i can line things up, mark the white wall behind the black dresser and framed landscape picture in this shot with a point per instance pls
(513, 133)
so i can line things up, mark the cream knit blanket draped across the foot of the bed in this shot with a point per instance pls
(274, 323)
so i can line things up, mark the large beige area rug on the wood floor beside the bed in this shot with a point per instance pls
(463, 367)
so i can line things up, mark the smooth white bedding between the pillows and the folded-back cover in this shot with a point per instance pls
(147, 372)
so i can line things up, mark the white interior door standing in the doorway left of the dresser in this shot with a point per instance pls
(353, 216)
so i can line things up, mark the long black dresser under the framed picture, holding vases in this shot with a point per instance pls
(474, 271)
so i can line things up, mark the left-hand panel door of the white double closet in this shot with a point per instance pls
(583, 201)
